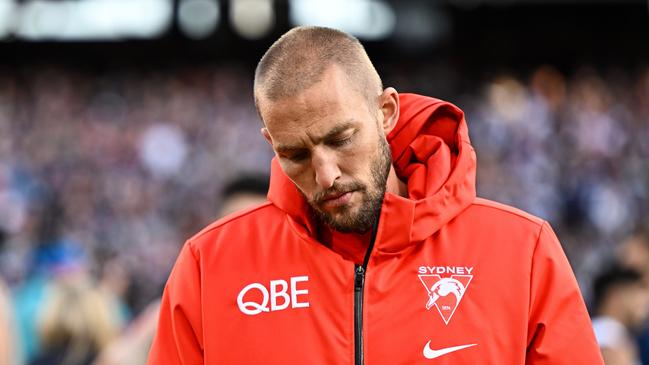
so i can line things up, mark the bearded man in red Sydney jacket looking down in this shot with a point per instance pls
(372, 248)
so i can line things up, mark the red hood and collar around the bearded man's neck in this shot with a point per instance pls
(431, 152)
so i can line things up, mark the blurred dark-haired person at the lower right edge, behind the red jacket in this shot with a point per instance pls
(622, 307)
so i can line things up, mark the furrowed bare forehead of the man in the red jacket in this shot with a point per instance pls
(319, 108)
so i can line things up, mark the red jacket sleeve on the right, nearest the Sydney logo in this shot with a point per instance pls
(559, 328)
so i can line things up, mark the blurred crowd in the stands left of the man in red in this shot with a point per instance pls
(102, 178)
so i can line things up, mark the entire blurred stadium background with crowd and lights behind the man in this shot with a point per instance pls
(127, 126)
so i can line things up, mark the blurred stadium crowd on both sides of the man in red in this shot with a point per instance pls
(104, 174)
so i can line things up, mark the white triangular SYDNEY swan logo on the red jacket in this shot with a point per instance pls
(445, 293)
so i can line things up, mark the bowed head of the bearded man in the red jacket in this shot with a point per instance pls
(326, 115)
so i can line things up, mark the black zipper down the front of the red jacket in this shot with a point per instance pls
(359, 289)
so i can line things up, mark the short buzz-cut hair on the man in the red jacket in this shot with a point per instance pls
(299, 58)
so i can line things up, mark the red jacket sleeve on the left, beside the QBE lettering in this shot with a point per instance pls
(179, 337)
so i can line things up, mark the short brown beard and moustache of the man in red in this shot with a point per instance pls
(358, 220)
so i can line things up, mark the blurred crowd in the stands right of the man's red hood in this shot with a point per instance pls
(573, 150)
